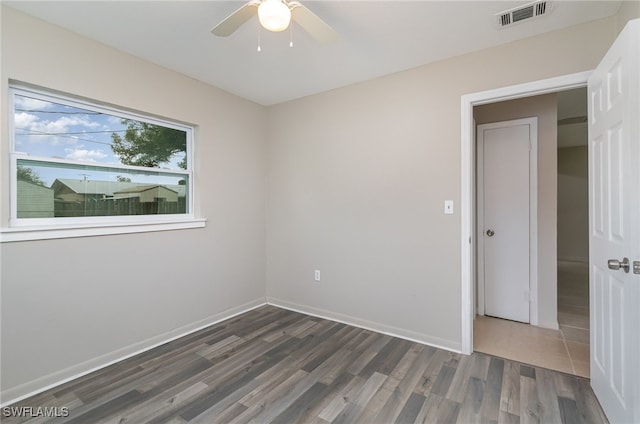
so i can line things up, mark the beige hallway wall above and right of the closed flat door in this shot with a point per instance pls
(545, 109)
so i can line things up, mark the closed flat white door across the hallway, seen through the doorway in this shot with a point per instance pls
(504, 150)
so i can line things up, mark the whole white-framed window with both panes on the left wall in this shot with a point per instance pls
(78, 164)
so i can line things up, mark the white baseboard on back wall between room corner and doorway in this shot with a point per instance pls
(367, 325)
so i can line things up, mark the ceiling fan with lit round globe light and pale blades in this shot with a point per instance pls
(276, 16)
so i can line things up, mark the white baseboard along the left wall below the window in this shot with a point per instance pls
(31, 388)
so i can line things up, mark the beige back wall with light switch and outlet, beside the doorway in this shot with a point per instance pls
(358, 176)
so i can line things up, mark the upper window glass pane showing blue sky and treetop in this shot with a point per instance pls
(55, 130)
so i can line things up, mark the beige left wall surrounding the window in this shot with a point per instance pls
(74, 304)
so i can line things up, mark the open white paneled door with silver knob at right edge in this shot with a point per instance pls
(614, 210)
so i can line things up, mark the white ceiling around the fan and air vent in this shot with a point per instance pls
(376, 38)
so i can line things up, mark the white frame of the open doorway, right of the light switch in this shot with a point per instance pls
(467, 206)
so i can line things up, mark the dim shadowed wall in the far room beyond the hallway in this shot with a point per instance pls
(573, 204)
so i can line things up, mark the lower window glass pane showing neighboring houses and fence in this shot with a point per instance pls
(50, 189)
